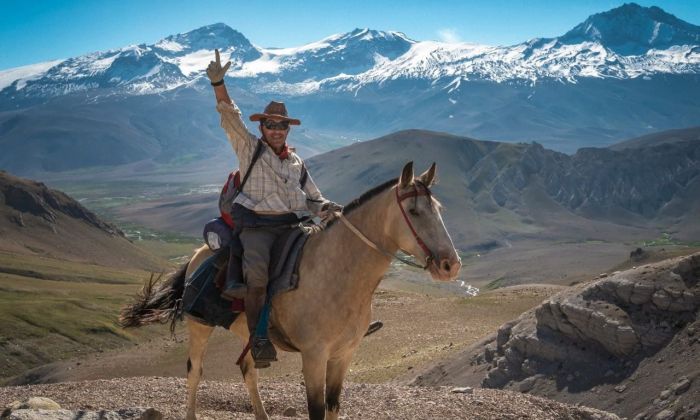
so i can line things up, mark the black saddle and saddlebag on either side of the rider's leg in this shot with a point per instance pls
(202, 298)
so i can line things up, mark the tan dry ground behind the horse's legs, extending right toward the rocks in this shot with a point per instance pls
(421, 325)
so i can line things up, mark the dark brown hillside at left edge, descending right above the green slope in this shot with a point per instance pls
(37, 220)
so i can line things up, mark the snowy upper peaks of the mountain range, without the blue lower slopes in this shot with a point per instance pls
(626, 42)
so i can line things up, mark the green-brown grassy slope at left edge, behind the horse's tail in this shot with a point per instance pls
(54, 309)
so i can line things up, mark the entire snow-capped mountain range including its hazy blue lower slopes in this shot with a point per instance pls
(622, 73)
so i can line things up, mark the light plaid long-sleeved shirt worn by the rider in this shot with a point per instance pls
(273, 185)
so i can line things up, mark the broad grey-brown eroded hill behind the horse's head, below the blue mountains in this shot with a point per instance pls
(518, 190)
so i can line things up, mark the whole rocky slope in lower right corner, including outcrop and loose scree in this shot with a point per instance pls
(627, 342)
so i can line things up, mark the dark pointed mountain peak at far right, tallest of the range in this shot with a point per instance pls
(632, 29)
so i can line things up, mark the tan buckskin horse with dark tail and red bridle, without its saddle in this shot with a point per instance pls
(326, 317)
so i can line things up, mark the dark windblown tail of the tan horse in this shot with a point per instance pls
(159, 301)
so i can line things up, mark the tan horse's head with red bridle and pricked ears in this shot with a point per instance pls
(418, 225)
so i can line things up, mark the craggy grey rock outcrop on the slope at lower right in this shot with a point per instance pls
(610, 324)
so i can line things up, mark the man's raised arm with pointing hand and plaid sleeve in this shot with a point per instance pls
(241, 140)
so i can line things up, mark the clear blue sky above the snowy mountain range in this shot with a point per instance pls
(36, 31)
